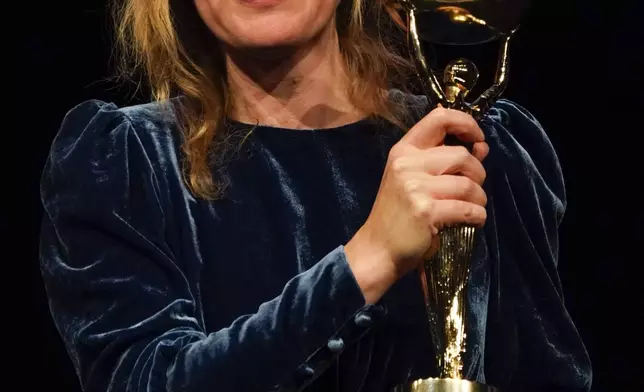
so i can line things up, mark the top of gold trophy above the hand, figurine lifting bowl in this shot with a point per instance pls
(459, 22)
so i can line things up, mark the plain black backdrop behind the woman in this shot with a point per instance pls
(575, 65)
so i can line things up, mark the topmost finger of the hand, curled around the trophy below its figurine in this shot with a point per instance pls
(430, 131)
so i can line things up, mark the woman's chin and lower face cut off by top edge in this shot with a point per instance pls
(243, 24)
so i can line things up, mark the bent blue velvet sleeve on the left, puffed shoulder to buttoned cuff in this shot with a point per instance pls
(129, 311)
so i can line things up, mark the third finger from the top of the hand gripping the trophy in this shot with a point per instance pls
(449, 187)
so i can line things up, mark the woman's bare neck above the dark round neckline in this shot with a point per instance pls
(299, 88)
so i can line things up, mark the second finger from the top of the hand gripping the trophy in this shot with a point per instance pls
(441, 160)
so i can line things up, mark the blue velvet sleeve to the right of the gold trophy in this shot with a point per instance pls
(531, 340)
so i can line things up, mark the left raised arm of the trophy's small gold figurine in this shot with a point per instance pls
(430, 83)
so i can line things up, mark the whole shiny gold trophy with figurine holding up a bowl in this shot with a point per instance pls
(445, 275)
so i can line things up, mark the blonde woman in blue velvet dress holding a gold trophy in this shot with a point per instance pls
(260, 230)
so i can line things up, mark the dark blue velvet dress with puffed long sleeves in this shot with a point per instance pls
(154, 290)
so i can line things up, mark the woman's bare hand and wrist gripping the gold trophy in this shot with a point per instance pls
(426, 186)
